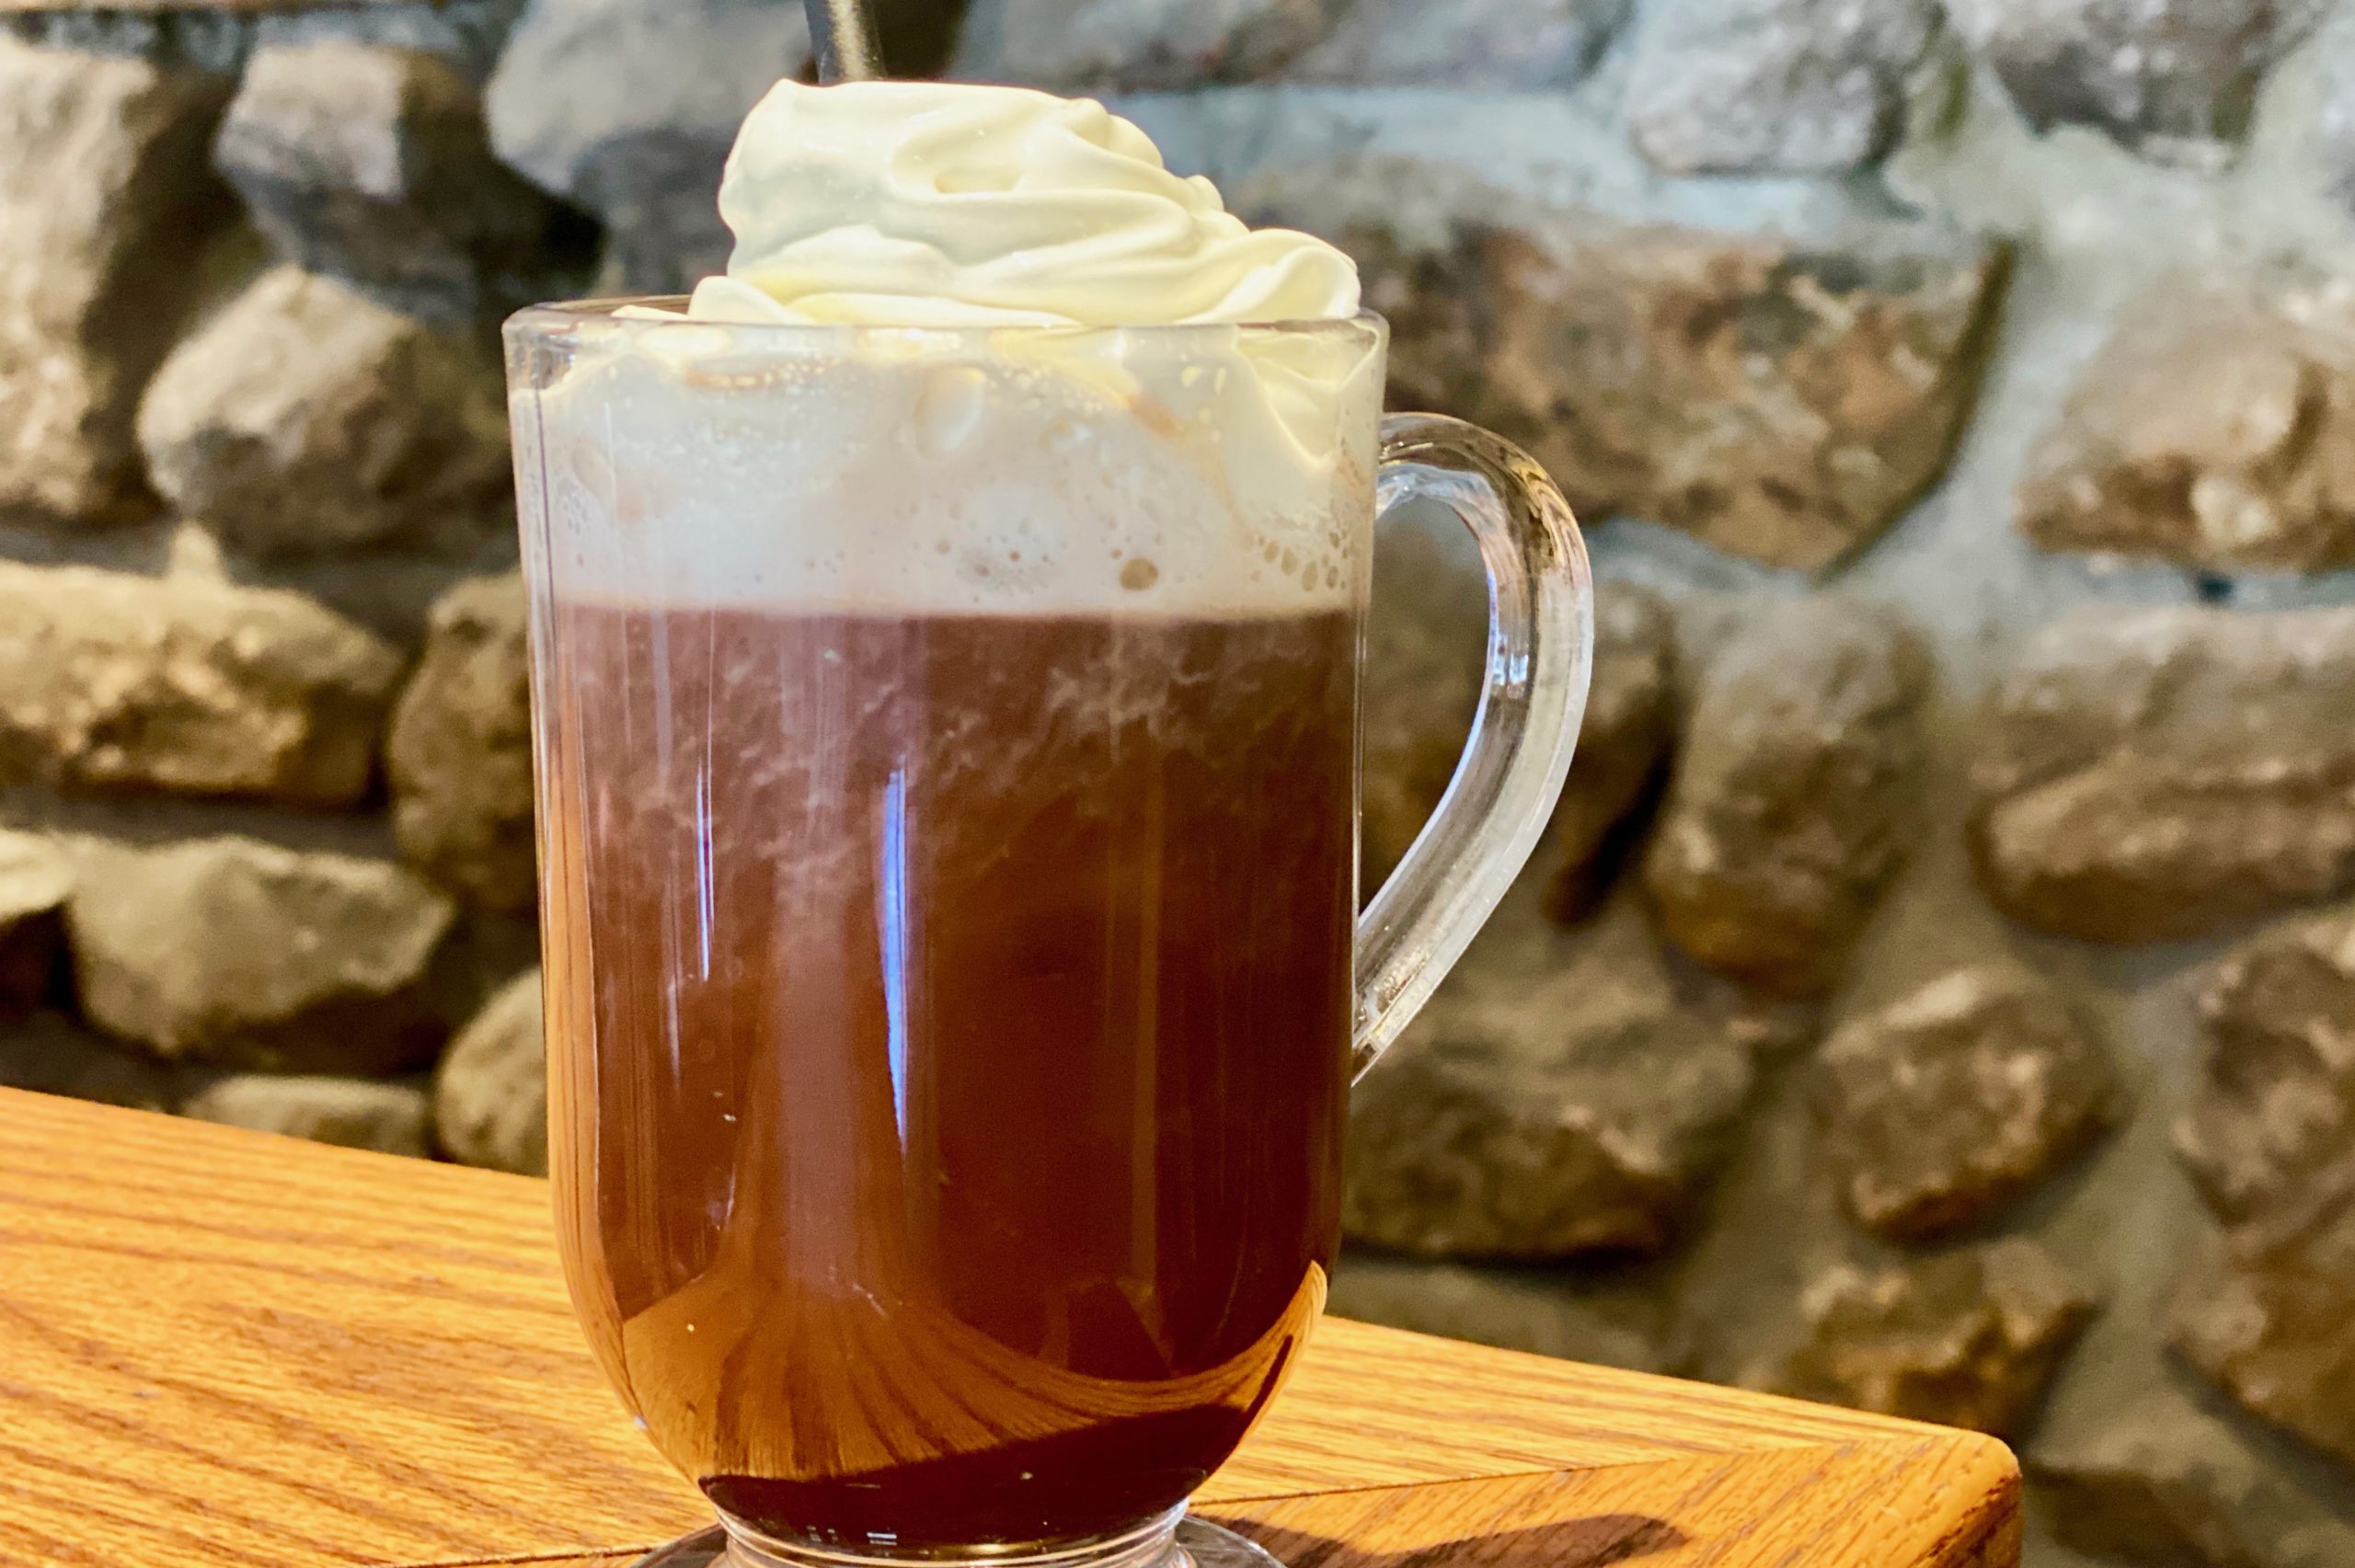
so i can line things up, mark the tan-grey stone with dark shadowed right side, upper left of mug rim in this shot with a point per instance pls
(371, 164)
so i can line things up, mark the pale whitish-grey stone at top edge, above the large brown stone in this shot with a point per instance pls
(1774, 86)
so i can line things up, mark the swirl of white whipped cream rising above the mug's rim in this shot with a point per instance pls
(953, 204)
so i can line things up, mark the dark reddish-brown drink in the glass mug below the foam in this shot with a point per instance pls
(950, 1030)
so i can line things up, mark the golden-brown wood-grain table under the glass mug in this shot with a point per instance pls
(237, 1350)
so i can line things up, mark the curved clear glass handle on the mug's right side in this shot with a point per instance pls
(1541, 651)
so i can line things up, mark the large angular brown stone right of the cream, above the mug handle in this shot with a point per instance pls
(1782, 401)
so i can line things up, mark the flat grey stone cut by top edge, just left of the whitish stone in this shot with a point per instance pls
(1466, 44)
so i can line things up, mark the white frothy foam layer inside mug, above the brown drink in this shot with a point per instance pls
(1200, 472)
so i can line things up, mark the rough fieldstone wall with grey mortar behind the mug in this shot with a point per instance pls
(1937, 990)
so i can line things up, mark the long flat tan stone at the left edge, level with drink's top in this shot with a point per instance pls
(187, 686)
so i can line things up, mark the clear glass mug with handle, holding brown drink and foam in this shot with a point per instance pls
(948, 776)
